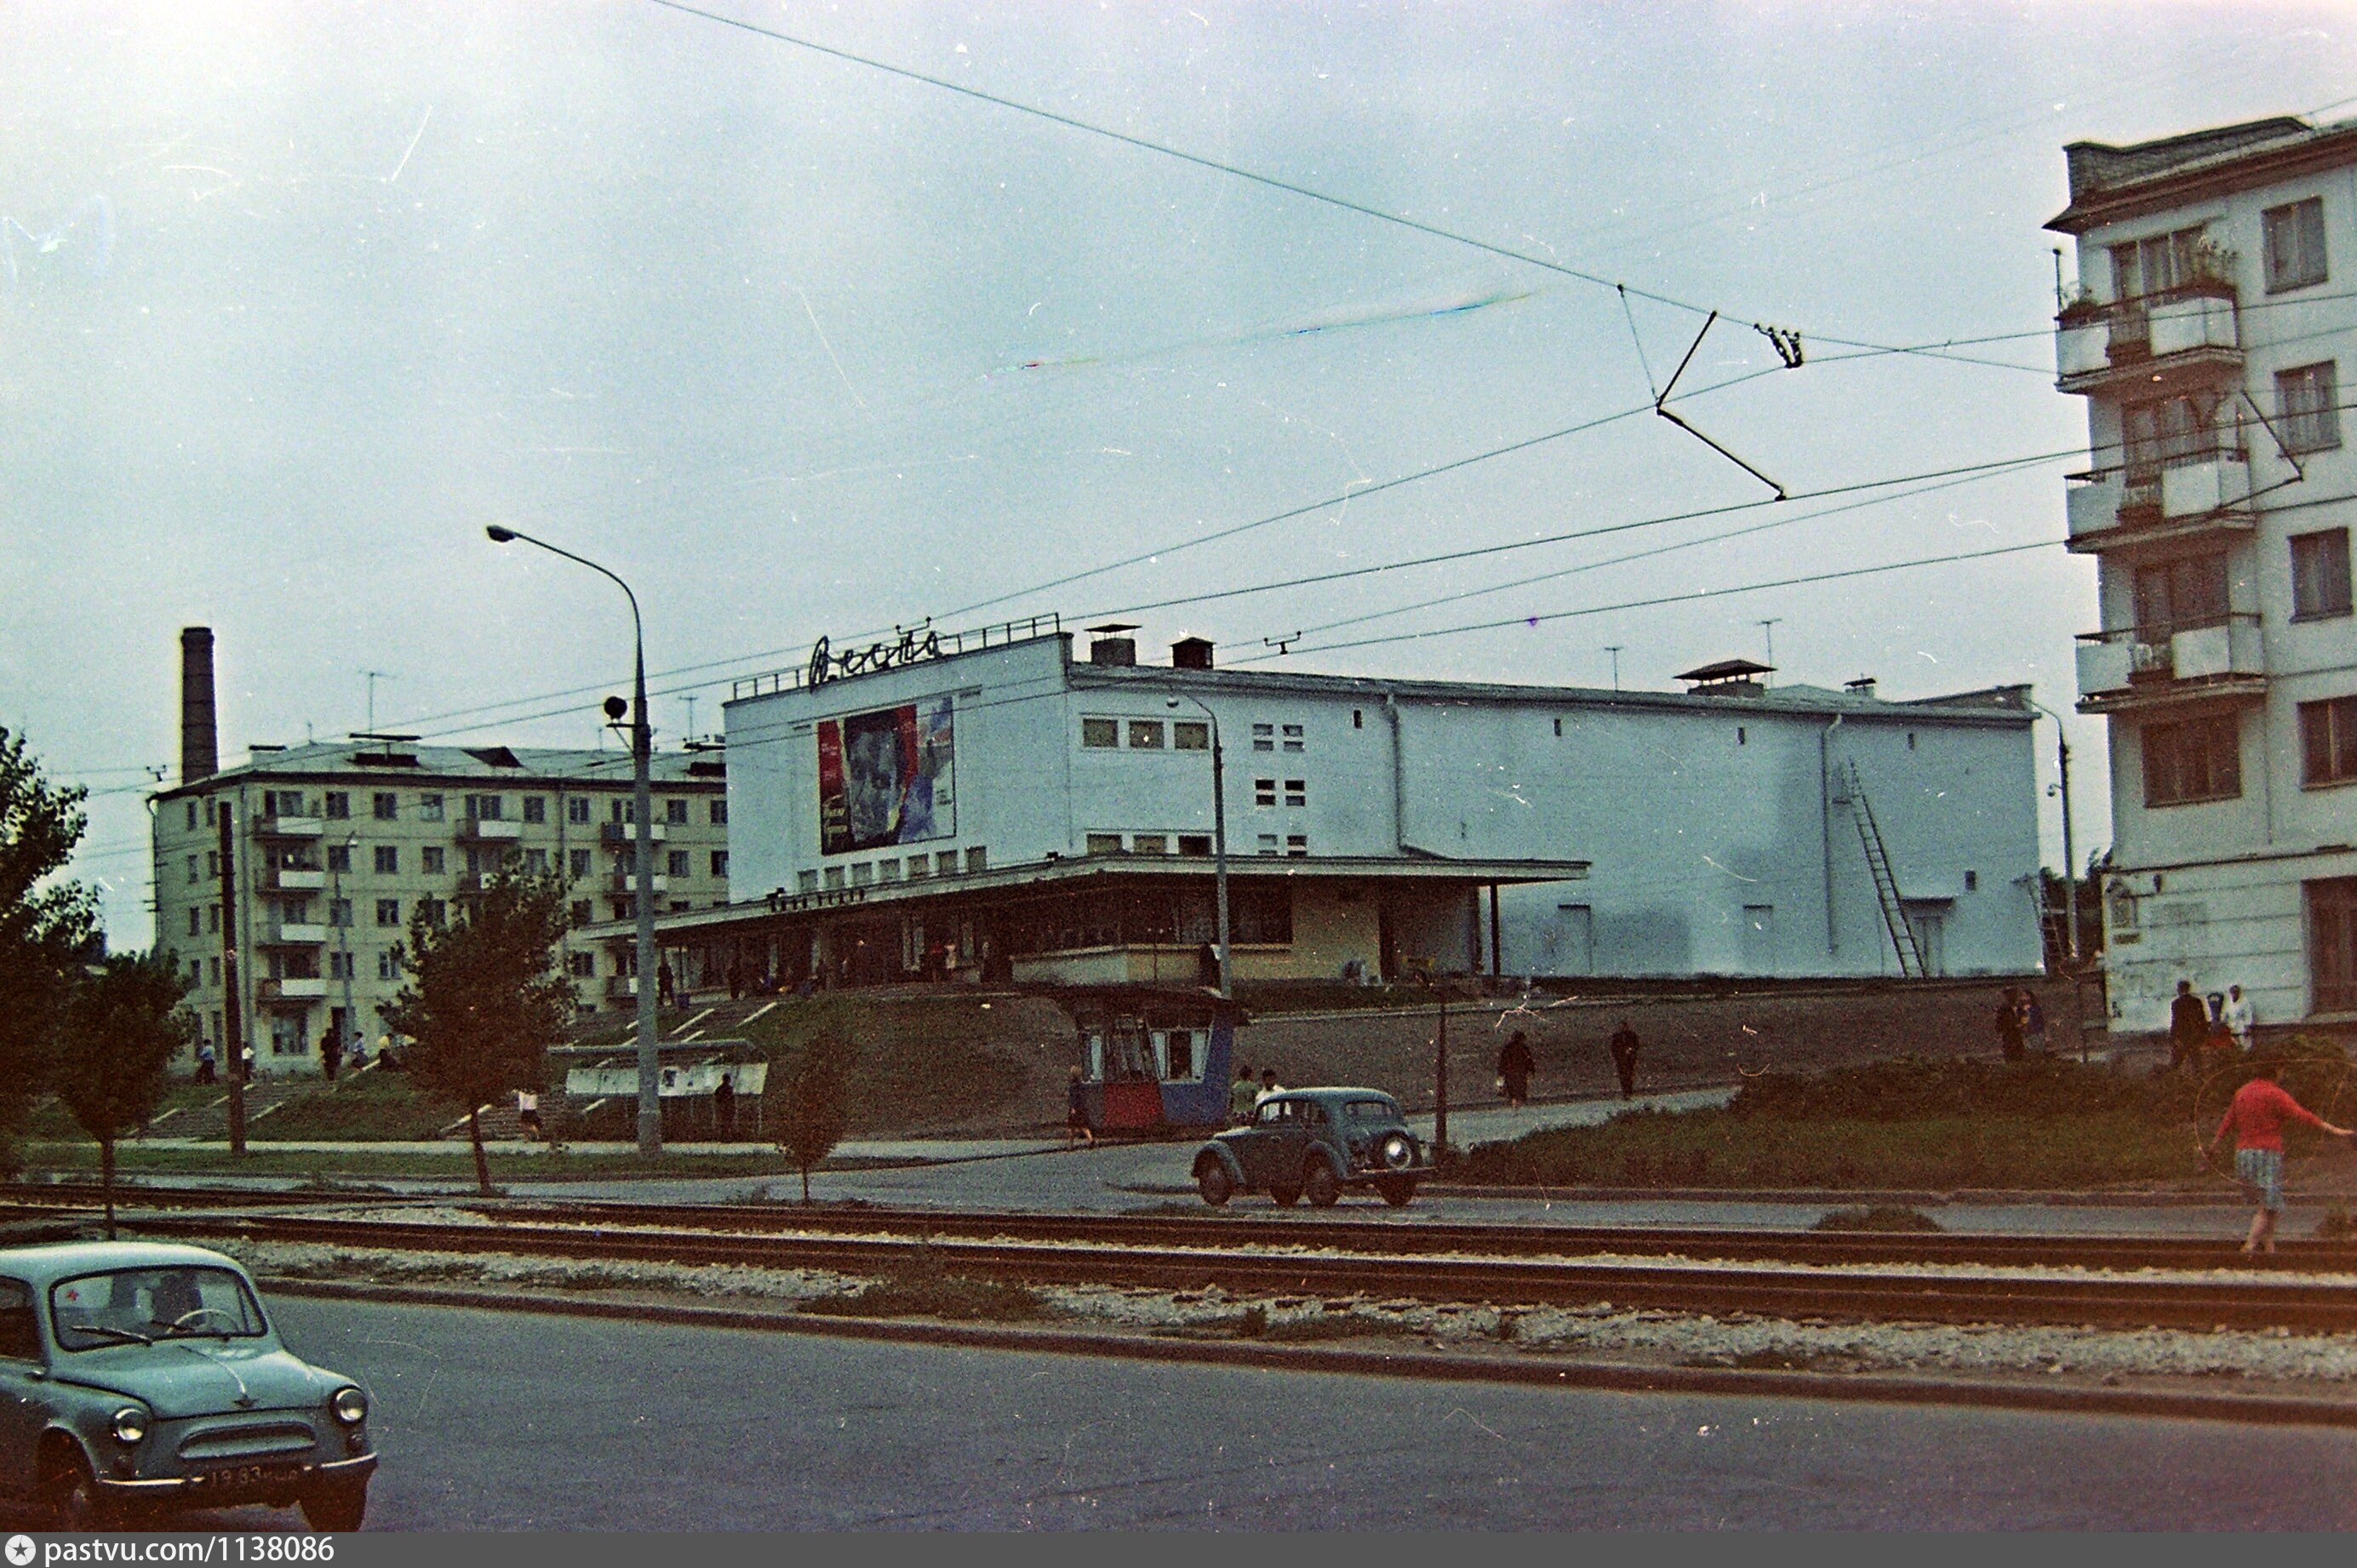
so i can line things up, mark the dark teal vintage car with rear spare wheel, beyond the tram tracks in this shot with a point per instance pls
(1314, 1142)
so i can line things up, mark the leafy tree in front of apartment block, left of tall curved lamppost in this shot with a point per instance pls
(487, 999)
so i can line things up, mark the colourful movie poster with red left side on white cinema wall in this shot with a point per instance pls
(887, 779)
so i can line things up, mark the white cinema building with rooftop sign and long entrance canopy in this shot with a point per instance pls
(991, 803)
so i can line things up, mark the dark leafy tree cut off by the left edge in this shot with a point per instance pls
(46, 925)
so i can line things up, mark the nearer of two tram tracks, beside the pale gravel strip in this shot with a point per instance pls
(1962, 1296)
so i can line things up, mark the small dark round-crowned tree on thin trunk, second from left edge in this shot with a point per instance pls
(121, 1029)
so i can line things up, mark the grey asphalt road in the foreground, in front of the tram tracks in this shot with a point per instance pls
(496, 1421)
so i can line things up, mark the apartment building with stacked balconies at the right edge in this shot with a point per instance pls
(2214, 312)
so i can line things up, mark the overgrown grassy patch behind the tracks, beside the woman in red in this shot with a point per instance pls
(1920, 1126)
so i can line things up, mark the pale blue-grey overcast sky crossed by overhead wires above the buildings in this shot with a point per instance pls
(298, 298)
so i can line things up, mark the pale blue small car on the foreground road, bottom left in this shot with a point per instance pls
(140, 1378)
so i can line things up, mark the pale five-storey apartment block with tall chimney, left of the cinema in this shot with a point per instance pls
(338, 845)
